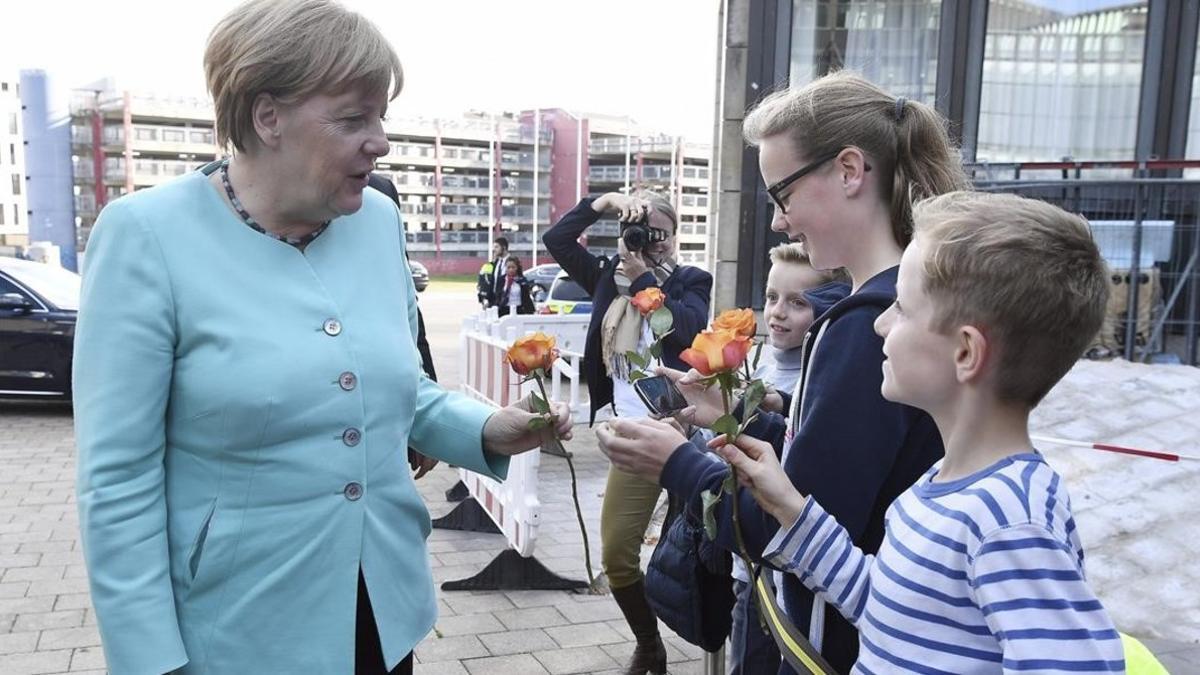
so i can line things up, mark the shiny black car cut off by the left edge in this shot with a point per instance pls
(39, 304)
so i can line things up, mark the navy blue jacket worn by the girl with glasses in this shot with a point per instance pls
(855, 453)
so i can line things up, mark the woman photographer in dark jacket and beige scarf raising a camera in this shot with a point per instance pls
(646, 259)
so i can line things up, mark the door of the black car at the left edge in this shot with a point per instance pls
(28, 347)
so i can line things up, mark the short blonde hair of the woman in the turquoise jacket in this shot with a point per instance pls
(292, 50)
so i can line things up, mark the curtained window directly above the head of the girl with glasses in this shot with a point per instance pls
(893, 43)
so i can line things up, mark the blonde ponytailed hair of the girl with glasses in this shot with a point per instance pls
(904, 140)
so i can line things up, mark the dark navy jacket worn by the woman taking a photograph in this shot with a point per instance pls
(688, 291)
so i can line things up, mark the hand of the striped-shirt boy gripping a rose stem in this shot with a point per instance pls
(760, 473)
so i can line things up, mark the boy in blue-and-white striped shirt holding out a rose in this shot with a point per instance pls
(981, 570)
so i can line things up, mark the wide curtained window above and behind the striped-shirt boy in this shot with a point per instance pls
(1061, 83)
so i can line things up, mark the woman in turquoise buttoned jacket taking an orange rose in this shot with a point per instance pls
(244, 396)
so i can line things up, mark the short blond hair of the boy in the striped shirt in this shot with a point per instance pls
(1027, 273)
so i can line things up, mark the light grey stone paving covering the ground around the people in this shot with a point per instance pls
(1137, 518)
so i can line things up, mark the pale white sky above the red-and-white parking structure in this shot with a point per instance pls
(655, 61)
